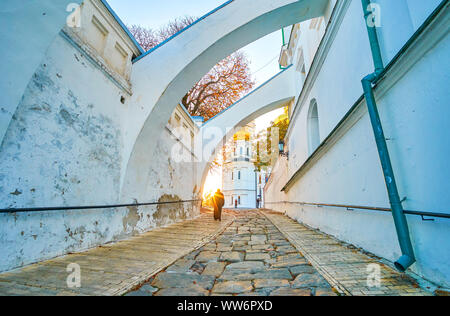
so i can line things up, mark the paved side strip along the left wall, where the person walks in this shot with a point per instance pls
(114, 269)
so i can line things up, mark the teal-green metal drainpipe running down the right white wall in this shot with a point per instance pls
(401, 224)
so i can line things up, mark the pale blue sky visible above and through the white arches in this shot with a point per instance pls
(263, 54)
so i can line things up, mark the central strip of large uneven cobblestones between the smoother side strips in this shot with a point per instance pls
(251, 257)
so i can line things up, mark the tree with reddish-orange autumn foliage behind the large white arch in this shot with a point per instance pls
(222, 86)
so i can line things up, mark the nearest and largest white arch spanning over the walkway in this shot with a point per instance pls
(162, 77)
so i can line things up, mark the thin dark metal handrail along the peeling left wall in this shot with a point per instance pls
(79, 208)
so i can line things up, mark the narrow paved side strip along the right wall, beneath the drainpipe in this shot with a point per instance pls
(346, 268)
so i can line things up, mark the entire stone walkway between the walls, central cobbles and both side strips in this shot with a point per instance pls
(256, 253)
